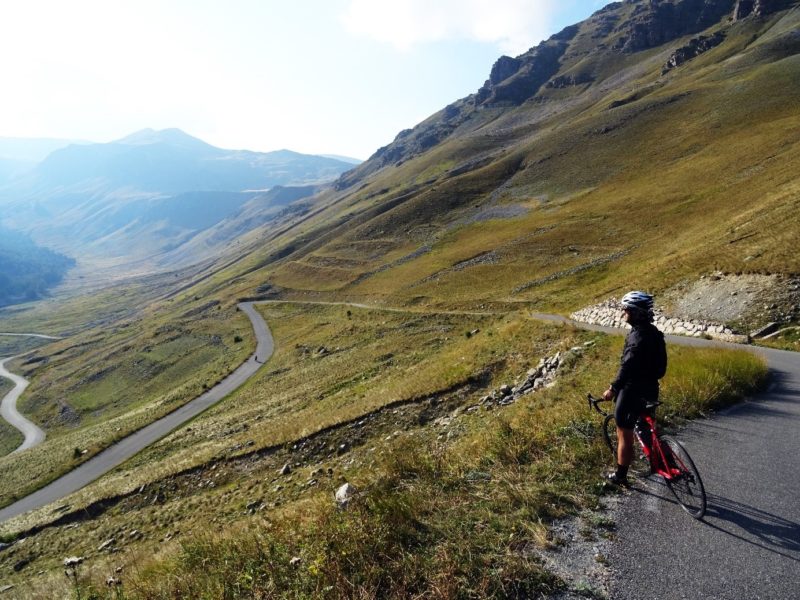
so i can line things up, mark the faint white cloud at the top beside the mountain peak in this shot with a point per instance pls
(513, 25)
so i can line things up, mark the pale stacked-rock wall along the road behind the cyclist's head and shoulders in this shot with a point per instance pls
(609, 314)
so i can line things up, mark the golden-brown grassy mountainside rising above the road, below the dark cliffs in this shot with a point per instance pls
(696, 173)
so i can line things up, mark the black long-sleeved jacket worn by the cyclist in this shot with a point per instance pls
(644, 361)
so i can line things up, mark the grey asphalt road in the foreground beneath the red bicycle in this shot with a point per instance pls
(747, 547)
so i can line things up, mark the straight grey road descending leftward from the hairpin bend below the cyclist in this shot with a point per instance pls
(127, 447)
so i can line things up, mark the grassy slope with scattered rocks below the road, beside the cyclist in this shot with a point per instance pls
(445, 505)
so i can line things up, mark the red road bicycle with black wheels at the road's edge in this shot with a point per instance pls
(662, 455)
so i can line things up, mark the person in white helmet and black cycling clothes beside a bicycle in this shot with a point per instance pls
(643, 363)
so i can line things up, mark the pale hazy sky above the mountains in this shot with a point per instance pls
(316, 76)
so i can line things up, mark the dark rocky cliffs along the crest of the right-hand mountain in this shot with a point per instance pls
(620, 28)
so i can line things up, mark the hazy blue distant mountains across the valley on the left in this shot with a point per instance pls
(120, 201)
